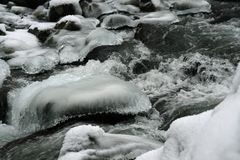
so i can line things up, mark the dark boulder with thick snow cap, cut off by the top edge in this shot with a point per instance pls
(61, 8)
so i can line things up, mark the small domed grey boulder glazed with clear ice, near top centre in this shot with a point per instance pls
(117, 21)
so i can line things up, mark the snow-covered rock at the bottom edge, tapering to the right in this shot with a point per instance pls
(91, 142)
